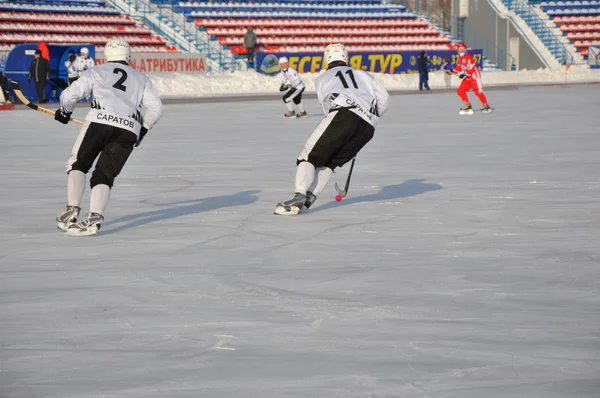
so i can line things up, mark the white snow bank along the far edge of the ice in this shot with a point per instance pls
(188, 86)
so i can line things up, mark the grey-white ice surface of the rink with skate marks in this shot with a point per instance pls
(465, 261)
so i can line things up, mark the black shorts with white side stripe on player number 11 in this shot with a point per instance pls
(337, 139)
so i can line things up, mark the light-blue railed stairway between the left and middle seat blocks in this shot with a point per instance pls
(171, 24)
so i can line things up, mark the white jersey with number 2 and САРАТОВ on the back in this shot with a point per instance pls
(119, 93)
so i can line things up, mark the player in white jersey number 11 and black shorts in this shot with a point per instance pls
(353, 102)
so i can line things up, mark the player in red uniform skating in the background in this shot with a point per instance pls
(470, 73)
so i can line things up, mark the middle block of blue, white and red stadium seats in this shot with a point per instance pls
(309, 25)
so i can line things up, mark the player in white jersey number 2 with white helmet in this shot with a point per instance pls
(112, 128)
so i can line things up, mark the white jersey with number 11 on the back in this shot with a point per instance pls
(357, 90)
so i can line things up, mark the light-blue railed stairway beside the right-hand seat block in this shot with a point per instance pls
(523, 9)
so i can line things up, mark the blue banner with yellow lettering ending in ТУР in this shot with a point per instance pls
(375, 62)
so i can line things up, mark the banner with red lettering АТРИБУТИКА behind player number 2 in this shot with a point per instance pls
(164, 63)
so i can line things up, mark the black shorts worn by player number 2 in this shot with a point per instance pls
(113, 144)
